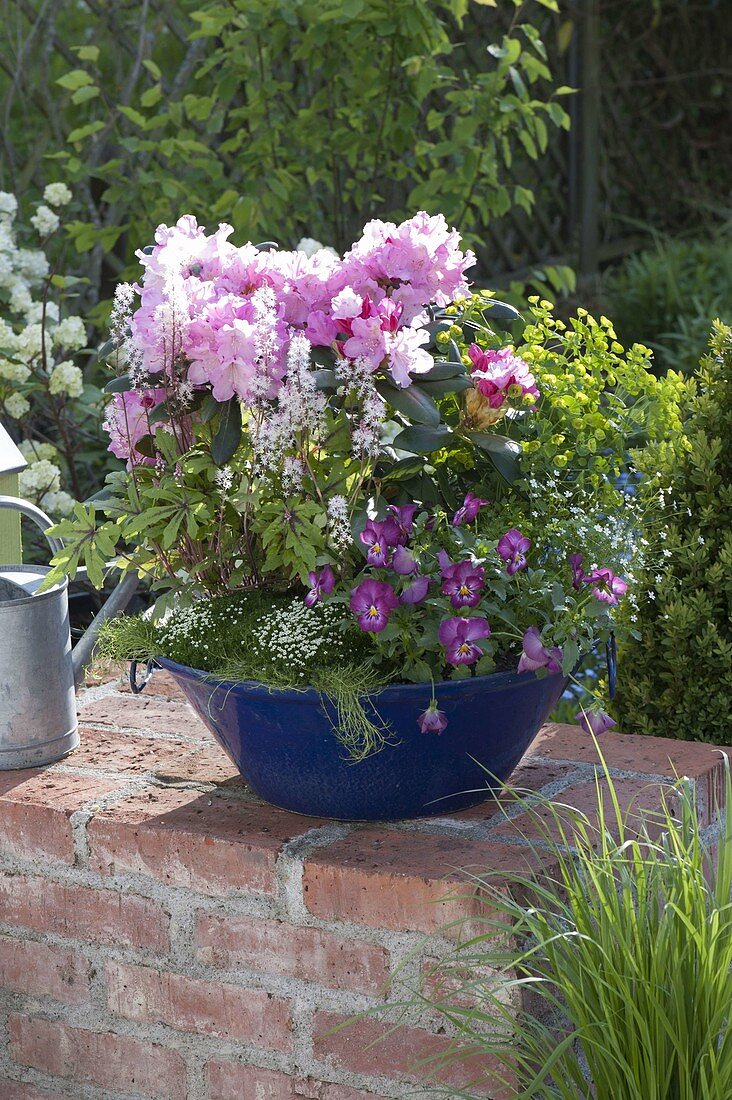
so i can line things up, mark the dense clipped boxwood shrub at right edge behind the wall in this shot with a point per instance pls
(679, 677)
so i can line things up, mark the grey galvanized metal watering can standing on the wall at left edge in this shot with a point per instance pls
(39, 672)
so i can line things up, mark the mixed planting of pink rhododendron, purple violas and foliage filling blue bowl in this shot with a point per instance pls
(363, 434)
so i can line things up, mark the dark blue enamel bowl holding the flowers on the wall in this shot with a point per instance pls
(285, 746)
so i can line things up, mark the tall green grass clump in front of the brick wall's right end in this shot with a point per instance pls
(622, 958)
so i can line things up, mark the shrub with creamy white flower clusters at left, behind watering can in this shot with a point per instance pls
(45, 401)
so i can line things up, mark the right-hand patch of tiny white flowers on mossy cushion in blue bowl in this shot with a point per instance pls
(297, 636)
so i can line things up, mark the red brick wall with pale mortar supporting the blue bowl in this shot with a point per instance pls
(165, 934)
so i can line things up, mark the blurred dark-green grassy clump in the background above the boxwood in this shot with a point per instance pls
(669, 296)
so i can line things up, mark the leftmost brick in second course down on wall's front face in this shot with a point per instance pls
(100, 917)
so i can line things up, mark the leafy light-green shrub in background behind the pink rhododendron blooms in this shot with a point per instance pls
(309, 118)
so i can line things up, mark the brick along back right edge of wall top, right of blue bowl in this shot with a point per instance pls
(657, 756)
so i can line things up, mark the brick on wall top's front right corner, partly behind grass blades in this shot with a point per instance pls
(640, 802)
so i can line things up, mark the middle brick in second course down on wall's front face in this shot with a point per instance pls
(274, 948)
